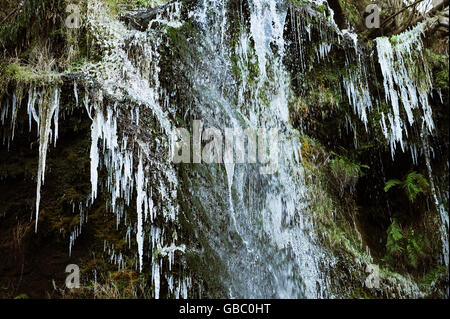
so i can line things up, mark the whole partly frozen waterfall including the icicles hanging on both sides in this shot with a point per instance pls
(254, 217)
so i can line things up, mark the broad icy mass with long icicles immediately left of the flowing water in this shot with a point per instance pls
(130, 160)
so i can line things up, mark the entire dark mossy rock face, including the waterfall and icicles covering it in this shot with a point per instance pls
(351, 189)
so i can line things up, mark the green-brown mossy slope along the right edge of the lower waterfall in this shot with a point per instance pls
(337, 228)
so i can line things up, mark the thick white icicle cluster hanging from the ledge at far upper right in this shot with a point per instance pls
(398, 63)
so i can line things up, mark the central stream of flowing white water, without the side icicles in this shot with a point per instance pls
(279, 200)
